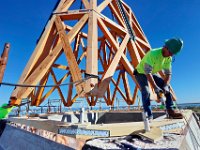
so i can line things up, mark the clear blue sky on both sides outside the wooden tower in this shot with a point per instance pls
(22, 21)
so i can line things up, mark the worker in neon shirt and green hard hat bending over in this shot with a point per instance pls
(154, 61)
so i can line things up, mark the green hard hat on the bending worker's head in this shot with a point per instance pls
(174, 45)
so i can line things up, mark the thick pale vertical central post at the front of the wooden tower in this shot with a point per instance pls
(92, 49)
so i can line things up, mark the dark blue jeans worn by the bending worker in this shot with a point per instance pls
(144, 87)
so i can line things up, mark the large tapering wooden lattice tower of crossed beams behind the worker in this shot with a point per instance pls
(92, 40)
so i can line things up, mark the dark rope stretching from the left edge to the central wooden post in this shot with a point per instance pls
(56, 85)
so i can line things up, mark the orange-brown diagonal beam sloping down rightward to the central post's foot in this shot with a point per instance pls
(73, 66)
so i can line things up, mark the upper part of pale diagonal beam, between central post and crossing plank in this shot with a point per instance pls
(75, 30)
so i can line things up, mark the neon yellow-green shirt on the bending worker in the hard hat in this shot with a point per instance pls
(153, 62)
